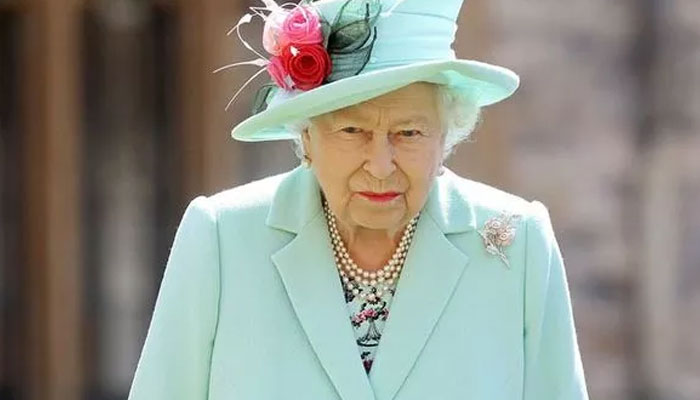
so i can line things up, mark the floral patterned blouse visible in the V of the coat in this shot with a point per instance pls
(368, 318)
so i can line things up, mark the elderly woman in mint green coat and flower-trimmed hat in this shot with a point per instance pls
(370, 271)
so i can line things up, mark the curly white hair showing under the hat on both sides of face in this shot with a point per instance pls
(460, 116)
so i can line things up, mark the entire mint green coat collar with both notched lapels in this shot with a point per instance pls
(309, 274)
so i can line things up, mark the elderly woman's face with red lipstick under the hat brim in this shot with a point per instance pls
(376, 160)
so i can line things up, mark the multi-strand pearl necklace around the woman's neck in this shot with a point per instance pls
(377, 282)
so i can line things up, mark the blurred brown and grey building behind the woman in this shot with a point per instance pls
(111, 120)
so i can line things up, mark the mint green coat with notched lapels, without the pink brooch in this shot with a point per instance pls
(251, 307)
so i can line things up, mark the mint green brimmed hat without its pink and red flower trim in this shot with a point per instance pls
(411, 42)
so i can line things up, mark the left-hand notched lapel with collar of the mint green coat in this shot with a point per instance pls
(309, 274)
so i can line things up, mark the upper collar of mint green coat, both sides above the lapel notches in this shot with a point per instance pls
(297, 200)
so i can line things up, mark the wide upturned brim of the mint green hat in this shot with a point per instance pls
(484, 83)
